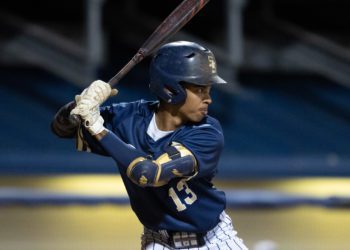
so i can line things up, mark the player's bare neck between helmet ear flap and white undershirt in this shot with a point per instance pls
(167, 117)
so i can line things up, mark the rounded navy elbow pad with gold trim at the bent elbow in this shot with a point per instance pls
(144, 172)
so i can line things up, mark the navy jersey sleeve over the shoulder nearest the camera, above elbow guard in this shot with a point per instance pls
(206, 142)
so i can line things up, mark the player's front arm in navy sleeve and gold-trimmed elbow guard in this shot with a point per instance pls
(143, 170)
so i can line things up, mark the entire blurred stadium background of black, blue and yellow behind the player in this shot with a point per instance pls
(285, 115)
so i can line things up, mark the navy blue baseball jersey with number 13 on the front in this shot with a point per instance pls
(183, 204)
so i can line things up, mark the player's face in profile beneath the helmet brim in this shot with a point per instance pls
(196, 105)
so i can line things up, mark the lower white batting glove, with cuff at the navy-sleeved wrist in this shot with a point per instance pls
(90, 113)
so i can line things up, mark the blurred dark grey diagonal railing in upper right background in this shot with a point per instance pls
(305, 51)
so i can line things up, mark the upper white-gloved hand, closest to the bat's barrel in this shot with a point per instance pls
(99, 91)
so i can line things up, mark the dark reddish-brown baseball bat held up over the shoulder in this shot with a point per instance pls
(171, 24)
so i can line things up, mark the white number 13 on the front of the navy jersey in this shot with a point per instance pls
(192, 197)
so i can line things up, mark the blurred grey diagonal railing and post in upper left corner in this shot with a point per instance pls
(33, 44)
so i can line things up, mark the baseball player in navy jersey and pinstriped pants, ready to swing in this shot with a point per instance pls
(167, 151)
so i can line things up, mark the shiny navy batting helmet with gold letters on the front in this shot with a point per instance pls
(178, 62)
